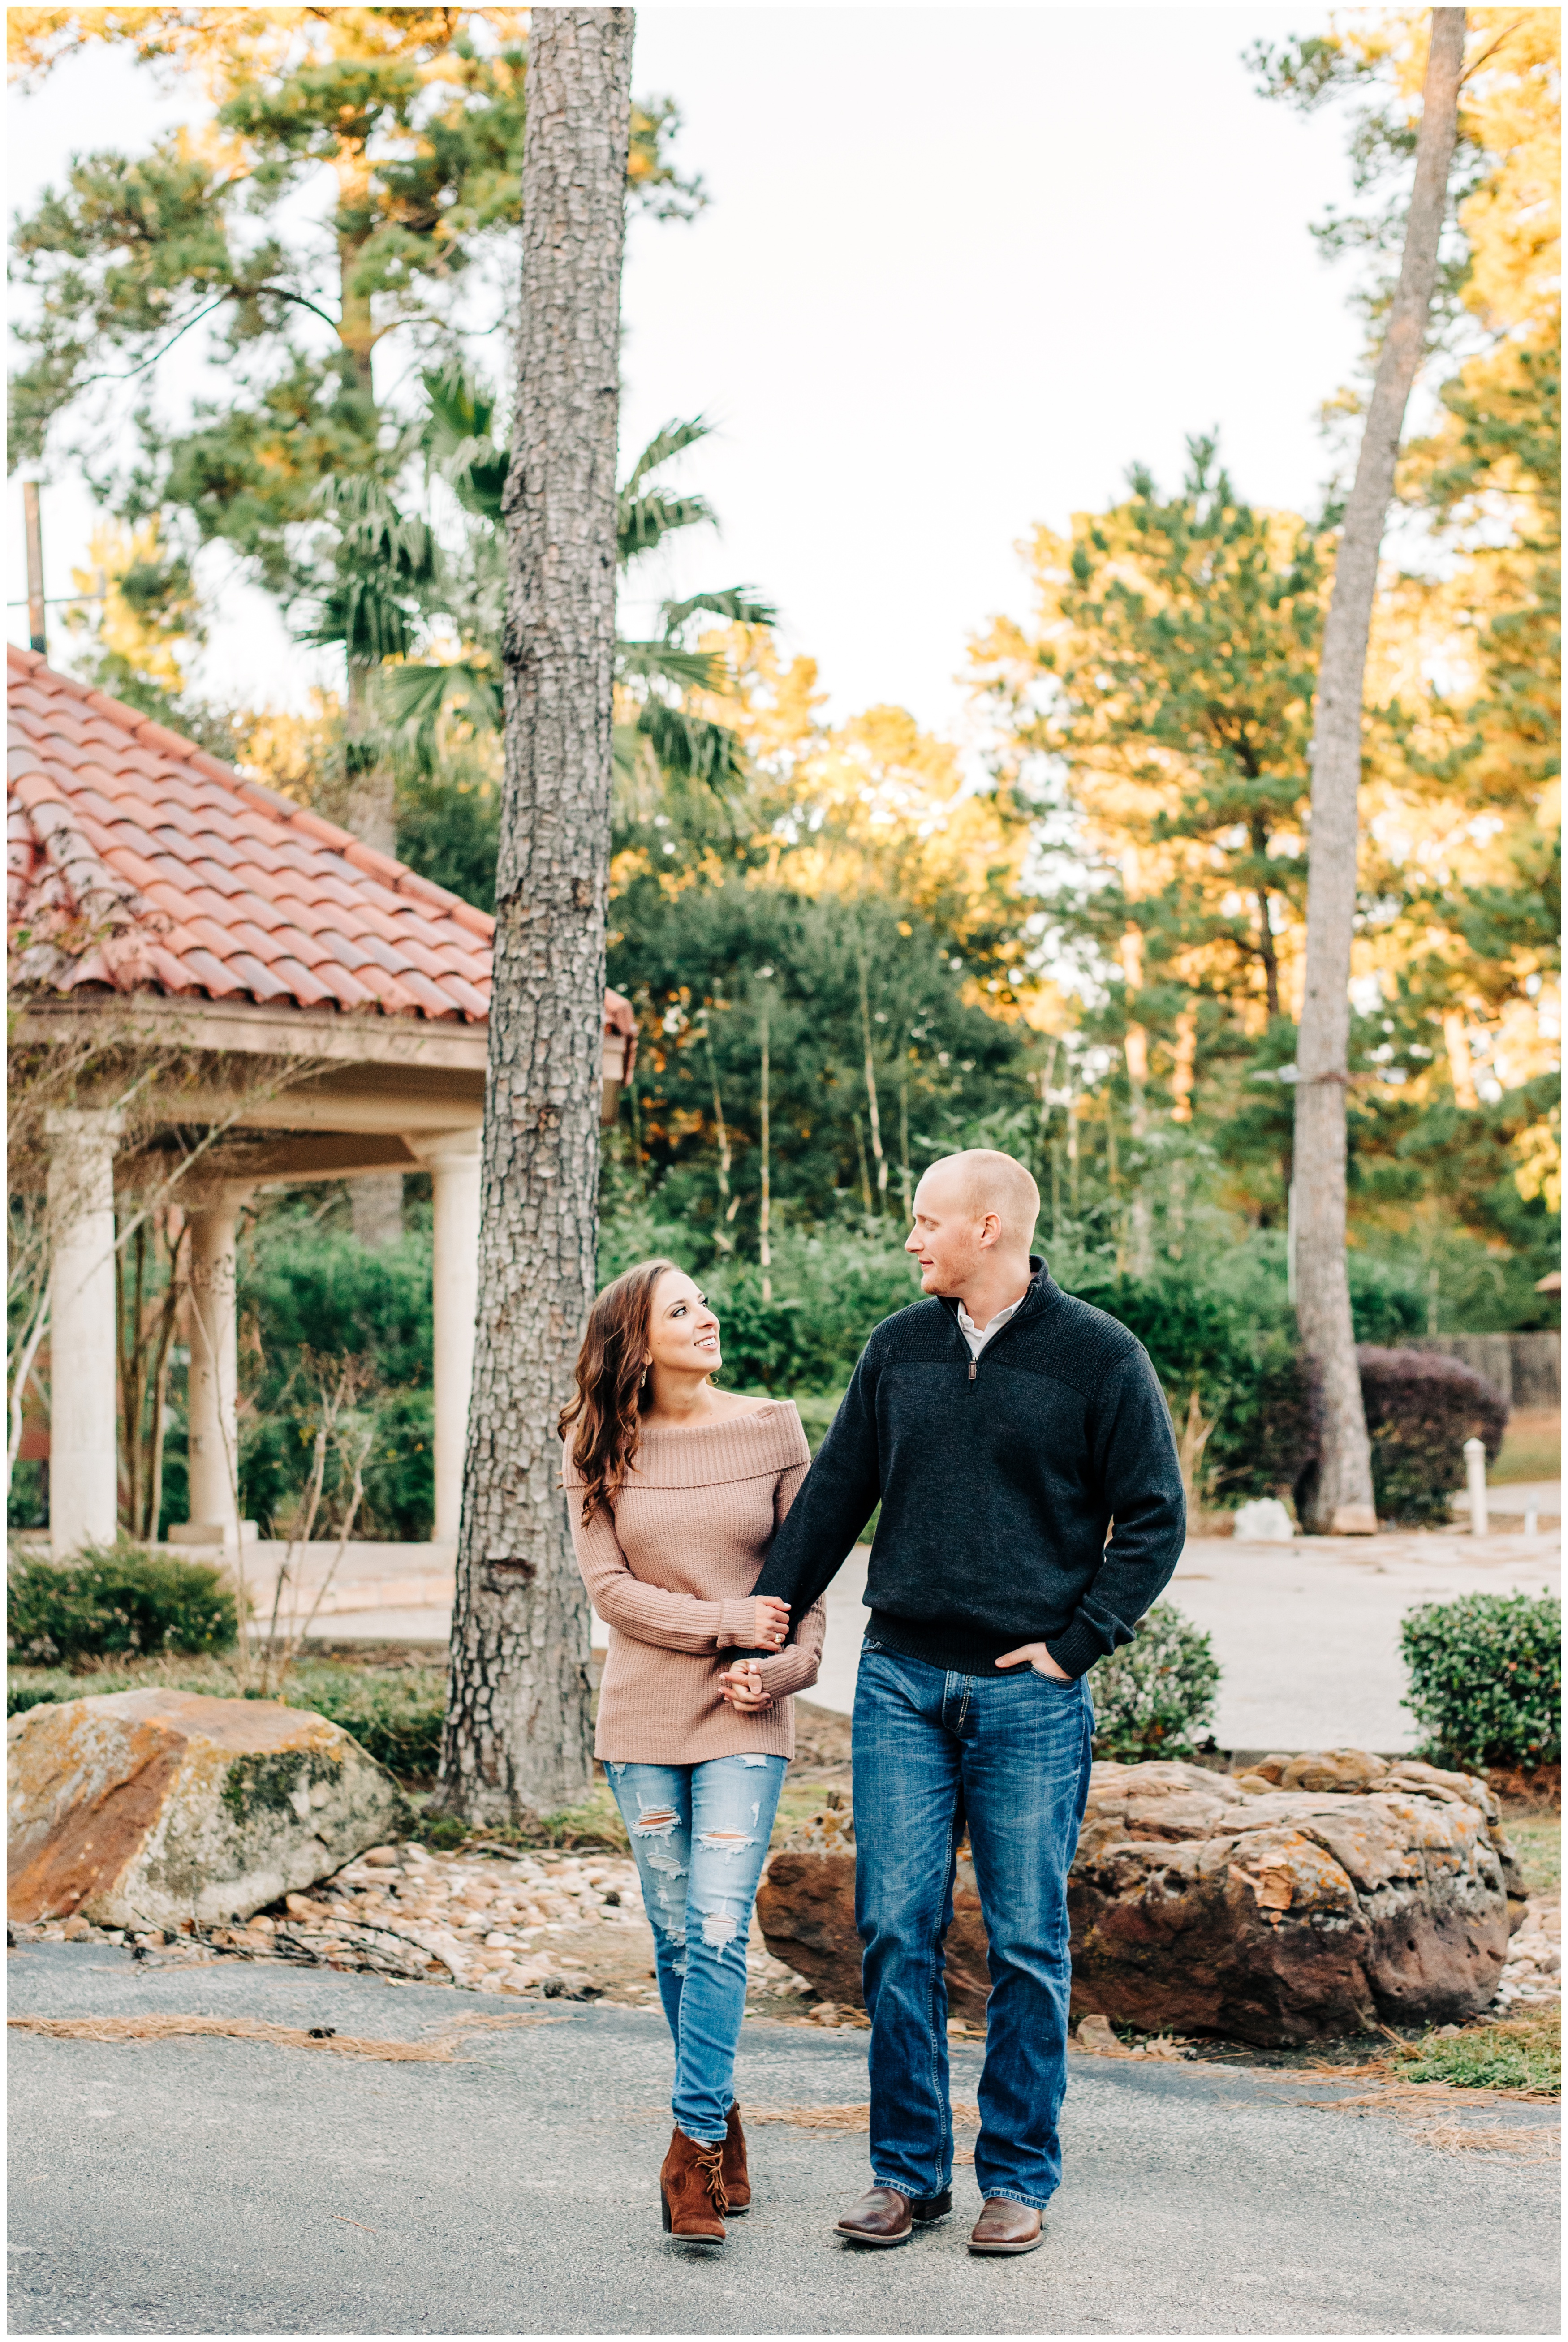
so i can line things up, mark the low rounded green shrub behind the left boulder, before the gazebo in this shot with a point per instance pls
(116, 1601)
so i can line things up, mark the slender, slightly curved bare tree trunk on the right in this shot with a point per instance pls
(1344, 1498)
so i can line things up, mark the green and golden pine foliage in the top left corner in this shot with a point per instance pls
(414, 118)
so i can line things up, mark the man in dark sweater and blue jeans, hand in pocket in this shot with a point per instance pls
(1002, 1425)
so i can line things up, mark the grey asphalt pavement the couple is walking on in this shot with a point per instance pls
(238, 2189)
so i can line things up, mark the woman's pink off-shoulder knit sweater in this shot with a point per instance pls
(671, 1577)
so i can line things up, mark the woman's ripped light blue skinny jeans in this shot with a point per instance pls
(702, 1835)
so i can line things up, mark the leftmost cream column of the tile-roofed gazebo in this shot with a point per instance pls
(83, 1427)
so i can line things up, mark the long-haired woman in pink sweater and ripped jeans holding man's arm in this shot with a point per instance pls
(676, 1493)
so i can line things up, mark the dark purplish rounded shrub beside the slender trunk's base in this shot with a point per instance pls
(1422, 1409)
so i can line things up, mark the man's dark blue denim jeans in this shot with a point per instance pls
(1009, 1755)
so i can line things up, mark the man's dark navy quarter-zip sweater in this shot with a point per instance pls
(997, 1481)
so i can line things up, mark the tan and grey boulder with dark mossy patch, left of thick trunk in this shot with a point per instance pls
(156, 1809)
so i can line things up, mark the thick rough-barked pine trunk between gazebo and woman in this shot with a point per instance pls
(517, 1734)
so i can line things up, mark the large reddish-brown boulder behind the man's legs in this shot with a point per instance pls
(1314, 1896)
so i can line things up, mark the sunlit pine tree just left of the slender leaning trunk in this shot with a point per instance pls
(1168, 676)
